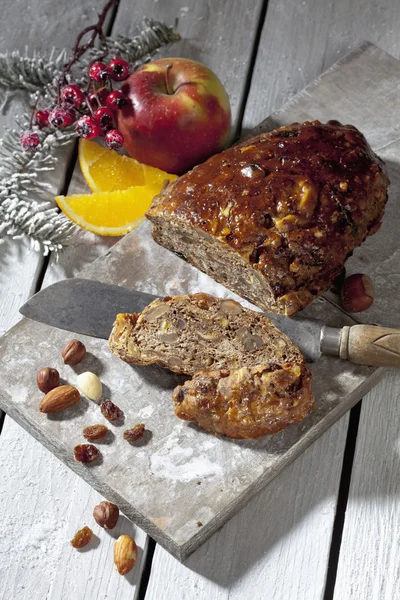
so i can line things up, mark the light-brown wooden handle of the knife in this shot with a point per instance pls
(370, 345)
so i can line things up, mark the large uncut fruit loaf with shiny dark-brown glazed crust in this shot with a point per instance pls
(275, 217)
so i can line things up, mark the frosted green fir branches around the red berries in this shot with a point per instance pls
(27, 207)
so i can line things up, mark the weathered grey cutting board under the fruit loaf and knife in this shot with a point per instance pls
(181, 484)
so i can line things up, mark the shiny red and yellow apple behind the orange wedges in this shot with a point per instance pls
(177, 116)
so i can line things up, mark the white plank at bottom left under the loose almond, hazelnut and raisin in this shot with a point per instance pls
(43, 505)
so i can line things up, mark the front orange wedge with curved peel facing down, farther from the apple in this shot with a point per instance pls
(109, 213)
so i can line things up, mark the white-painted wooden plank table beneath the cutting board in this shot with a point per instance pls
(329, 525)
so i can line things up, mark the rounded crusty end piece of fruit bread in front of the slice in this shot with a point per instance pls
(246, 403)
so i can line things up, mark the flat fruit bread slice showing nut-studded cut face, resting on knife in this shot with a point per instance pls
(198, 332)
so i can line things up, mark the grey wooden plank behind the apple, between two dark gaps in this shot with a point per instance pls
(219, 34)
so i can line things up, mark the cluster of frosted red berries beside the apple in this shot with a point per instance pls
(93, 112)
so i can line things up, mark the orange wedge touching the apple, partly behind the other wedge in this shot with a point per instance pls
(107, 171)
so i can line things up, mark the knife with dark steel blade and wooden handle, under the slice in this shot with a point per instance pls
(89, 307)
